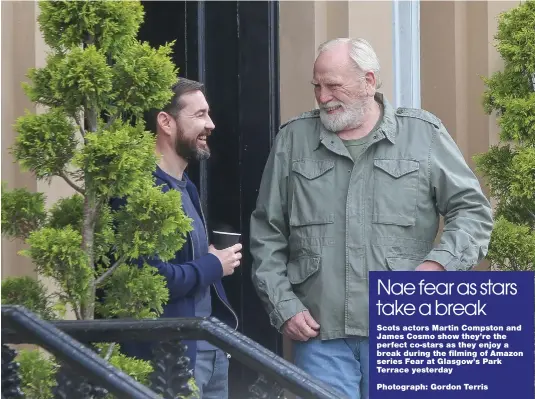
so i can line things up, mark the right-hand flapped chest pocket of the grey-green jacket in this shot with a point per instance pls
(395, 191)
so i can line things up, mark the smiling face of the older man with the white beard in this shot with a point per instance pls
(341, 90)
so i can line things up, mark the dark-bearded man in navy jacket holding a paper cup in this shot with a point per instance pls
(182, 129)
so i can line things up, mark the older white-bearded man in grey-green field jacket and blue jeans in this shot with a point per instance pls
(352, 187)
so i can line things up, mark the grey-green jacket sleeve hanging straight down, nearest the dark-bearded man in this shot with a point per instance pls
(269, 238)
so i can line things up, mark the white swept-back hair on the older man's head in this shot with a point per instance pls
(361, 52)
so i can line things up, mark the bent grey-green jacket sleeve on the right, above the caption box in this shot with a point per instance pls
(459, 198)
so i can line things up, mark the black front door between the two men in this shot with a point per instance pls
(231, 46)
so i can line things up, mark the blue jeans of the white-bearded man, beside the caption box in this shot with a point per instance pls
(342, 364)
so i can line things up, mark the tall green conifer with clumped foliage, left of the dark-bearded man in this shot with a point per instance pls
(97, 83)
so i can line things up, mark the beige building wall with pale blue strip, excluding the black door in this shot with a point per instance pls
(432, 55)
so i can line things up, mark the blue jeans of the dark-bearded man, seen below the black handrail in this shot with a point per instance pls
(211, 374)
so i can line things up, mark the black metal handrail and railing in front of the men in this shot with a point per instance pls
(275, 374)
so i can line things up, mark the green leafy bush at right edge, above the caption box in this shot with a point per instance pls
(510, 165)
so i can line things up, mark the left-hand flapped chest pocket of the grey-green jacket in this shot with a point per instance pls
(312, 183)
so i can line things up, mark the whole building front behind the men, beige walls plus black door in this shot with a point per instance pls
(432, 54)
